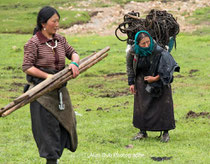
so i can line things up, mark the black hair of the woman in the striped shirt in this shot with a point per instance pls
(44, 14)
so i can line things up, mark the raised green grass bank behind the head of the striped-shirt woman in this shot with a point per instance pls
(20, 17)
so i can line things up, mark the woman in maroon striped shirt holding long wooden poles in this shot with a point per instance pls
(52, 115)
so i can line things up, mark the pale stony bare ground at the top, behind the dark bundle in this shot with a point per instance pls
(104, 21)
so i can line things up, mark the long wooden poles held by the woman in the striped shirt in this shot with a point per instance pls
(52, 83)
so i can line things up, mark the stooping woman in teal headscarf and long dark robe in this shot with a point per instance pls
(150, 71)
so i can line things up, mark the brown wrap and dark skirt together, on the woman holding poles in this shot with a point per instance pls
(53, 129)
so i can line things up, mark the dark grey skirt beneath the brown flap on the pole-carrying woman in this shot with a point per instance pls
(50, 136)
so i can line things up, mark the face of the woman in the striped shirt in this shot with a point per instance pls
(52, 25)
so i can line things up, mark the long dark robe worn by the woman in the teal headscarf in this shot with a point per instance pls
(150, 113)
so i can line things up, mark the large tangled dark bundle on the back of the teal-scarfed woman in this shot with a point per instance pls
(160, 24)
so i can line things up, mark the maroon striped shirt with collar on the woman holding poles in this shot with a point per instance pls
(38, 54)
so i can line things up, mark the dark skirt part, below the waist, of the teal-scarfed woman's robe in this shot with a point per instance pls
(151, 113)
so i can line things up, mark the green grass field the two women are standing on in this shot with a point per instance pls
(104, 134)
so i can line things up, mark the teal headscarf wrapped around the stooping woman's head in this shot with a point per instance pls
(143, 51)
